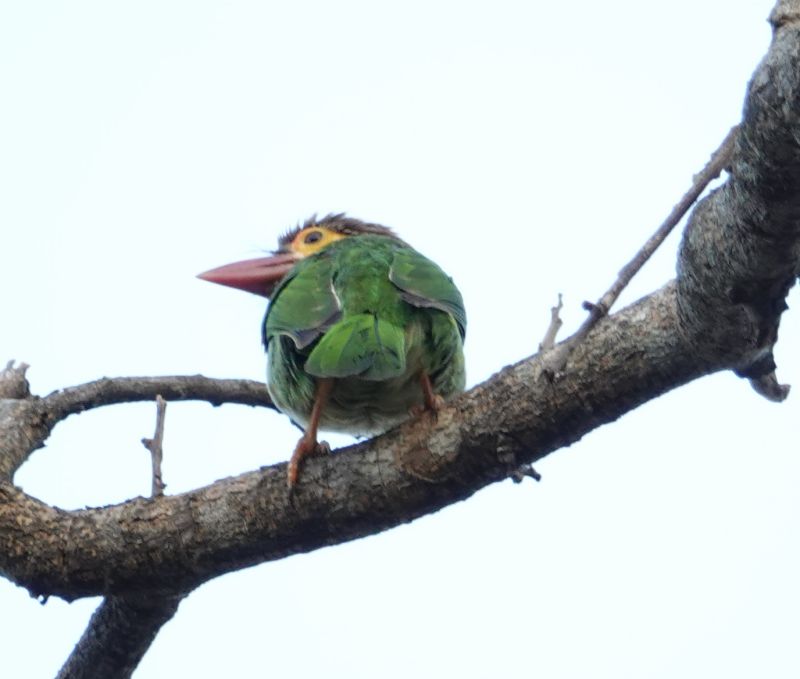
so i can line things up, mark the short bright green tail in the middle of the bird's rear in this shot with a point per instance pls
(361, 345)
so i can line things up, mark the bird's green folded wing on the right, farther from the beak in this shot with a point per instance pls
(424, 284)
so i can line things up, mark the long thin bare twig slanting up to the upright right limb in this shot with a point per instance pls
(719, 160)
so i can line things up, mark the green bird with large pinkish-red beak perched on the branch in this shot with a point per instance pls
(361, 332)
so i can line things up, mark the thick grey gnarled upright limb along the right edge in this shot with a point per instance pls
(740, 252)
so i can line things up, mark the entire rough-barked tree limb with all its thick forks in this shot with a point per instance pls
(739, 257)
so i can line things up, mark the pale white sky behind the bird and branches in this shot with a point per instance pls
(528, 148)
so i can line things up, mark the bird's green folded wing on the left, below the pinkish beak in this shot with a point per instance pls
(307, 307)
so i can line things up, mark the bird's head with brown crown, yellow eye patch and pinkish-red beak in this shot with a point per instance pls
(261, 275)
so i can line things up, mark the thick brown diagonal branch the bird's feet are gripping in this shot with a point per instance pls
(180, 541)
